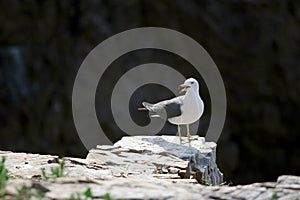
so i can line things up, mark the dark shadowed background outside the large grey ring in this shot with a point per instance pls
(255, 44)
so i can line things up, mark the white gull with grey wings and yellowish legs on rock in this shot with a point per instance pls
(182, 110)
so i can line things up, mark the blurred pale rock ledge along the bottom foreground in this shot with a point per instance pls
(147, 187)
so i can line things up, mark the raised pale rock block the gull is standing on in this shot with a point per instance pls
(161, 154)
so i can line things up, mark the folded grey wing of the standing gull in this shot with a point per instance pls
(165, 109)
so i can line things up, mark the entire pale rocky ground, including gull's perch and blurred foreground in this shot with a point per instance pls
(138, 168)
